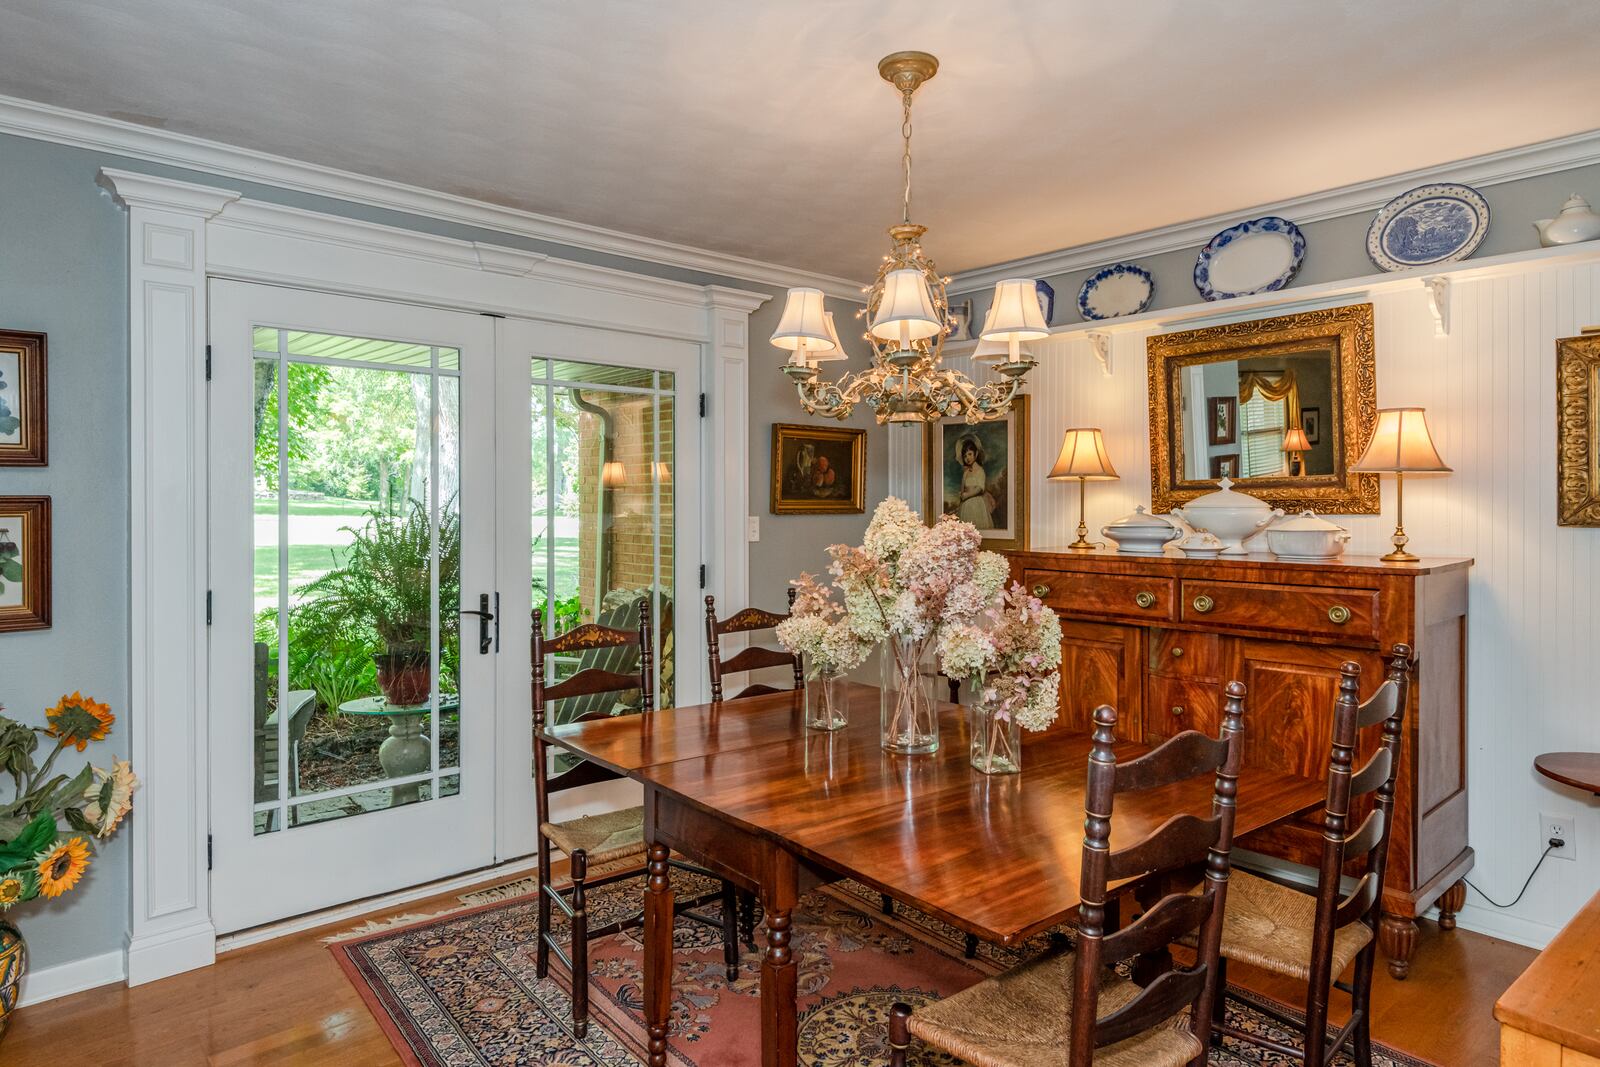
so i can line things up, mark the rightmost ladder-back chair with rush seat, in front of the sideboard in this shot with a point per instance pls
(1311, 938)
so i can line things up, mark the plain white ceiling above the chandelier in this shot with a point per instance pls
(761, 129)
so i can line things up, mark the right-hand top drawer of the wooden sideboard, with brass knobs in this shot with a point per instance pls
(1289, 609)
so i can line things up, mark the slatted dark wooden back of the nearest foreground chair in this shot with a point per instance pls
(1174, 847)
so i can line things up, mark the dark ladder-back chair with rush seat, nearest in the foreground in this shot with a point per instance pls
(1074, 999)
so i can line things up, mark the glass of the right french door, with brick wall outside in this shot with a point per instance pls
(602, 514)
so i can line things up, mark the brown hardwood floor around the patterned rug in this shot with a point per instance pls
(286, 1002)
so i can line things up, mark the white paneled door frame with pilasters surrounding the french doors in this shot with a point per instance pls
(178, 236)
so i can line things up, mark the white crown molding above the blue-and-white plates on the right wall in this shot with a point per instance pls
(1481, 170)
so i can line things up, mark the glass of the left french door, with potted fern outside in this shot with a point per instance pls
(358, 562)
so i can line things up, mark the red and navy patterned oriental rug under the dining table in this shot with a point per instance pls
(460, 989)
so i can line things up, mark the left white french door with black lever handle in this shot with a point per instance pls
(353, 524)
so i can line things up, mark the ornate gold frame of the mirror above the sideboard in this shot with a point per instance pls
(1348, 332)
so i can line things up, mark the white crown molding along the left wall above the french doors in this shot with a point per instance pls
(42, 122)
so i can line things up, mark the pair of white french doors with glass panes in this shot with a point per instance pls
(394, 492)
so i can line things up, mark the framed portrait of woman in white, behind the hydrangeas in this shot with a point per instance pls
(978, 473)
